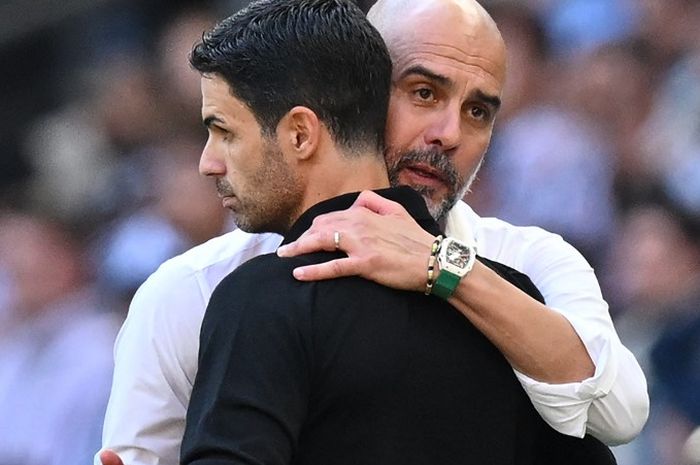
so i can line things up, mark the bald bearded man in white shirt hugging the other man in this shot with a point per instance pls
(449, 67)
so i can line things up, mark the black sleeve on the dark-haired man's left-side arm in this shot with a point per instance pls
(250, 395)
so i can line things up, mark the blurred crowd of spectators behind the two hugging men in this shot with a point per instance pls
(598, 140)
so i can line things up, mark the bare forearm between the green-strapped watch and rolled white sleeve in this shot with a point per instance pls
(537, 341)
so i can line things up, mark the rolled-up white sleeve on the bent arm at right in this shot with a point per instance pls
(613, 404)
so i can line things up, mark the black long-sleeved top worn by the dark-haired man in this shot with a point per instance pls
(346, 371)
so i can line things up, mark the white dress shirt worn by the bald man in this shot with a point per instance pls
(157, 348)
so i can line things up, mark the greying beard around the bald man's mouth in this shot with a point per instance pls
(457, 185)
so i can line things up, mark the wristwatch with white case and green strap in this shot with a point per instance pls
(456, 259)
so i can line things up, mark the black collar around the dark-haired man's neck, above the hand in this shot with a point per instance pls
(407, 197)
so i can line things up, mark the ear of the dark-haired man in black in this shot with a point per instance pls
(300, 130)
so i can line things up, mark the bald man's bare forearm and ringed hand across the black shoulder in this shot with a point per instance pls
(391, 249)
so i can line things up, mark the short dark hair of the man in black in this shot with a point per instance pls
(322, 54)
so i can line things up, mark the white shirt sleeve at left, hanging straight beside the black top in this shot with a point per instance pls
(155, 359)
